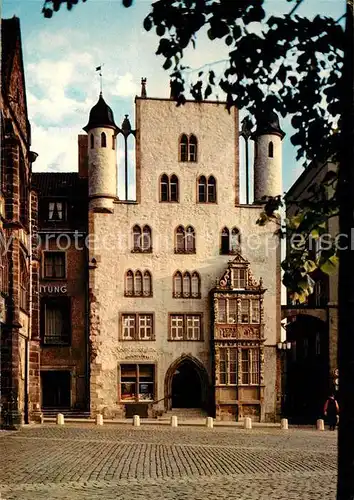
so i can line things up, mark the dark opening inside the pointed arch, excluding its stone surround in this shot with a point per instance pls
(186, 386)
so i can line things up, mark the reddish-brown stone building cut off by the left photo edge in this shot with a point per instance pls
(19, 313)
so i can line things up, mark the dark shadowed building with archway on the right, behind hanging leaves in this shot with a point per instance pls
(310, 365)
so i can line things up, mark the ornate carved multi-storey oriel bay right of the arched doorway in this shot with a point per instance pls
(238, 343)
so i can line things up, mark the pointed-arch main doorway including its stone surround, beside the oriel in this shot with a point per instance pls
(186, 384)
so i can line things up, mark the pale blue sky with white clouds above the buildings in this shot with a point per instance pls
(62, 53)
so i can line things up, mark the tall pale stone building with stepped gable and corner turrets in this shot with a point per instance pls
(154, 261)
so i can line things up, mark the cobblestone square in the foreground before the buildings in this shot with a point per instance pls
(121, 462)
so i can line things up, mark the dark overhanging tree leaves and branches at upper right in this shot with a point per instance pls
(288, 64)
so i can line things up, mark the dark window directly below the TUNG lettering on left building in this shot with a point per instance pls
(55, 321)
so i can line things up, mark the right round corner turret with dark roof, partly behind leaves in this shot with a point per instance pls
(268, 157)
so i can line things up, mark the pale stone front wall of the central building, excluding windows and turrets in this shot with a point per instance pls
(161, 124)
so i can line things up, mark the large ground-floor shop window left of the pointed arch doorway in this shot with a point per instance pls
(137, 382)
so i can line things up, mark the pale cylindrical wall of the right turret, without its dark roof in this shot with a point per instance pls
(268, 171)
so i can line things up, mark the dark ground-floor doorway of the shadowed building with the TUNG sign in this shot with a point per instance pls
(56, 387)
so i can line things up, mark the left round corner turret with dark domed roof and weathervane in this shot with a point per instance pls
(102, 162)
